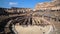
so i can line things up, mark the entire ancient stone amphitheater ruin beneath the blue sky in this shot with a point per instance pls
(44, 19)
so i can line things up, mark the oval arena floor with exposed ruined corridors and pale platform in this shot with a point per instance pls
(29, 23)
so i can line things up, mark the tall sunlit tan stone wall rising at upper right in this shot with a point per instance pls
(53, 5)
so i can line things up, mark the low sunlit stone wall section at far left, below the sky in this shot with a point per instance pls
(18, 10)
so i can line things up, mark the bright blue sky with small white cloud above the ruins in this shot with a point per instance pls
(20, 3)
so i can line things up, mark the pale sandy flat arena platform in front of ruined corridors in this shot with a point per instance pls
(33, 29)
